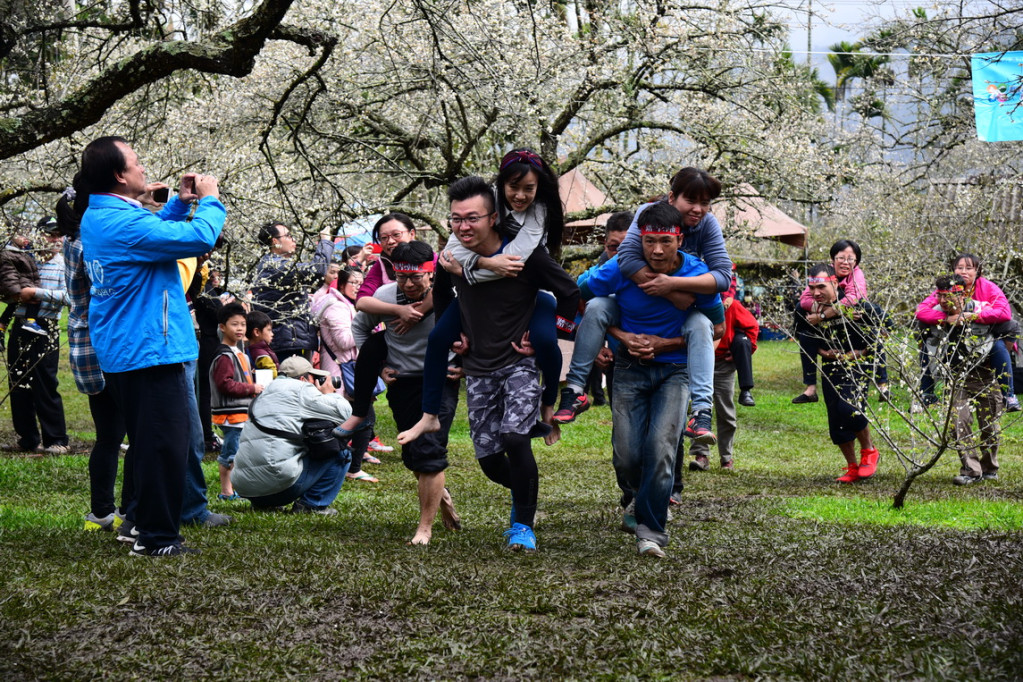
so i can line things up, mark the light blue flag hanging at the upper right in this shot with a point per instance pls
(998, 82)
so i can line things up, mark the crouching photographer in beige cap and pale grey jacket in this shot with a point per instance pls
(288, 452)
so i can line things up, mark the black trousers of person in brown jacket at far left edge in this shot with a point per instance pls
(33, 361)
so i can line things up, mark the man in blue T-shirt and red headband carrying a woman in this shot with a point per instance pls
(651, 374)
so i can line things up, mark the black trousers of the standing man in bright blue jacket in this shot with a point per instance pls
(155, 403)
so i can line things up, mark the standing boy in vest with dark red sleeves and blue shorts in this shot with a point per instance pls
(233, 389)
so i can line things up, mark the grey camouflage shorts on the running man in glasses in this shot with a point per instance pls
(507, 401)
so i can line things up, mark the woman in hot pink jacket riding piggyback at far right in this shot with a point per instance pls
(994, 309)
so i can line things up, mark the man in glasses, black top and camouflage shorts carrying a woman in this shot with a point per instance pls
(503, 387)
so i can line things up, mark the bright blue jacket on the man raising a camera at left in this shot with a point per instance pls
(139, 316)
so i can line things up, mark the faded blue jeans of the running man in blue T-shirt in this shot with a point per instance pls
(648, 426)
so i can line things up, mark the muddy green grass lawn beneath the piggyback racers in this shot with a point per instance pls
(774, 573)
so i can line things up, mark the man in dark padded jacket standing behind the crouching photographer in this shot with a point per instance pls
(282, 289)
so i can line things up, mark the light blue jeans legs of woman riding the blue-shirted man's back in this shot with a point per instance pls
(698, 332)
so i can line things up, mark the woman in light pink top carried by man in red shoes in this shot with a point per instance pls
(846, 255)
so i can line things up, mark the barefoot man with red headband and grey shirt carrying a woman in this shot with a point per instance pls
(426, 457)
